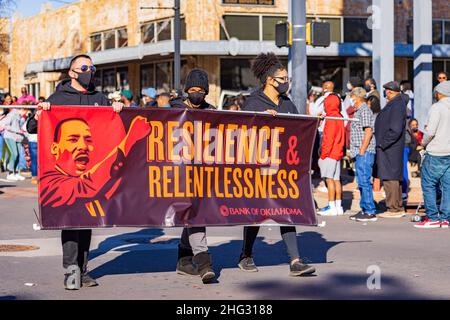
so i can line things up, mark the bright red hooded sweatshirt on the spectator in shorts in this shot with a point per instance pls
(333, 140)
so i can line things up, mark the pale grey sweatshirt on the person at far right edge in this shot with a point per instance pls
(436, 137)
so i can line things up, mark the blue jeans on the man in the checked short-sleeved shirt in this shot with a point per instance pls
(364, 165)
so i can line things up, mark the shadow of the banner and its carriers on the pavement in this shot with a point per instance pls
(144, 256)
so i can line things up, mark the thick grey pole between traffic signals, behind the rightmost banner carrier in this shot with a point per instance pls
(297, 54)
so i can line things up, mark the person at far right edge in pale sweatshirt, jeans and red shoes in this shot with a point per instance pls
(435, 172)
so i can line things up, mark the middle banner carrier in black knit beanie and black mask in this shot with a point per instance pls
(193, 256)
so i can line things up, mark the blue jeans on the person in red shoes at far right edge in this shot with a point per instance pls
(436, 180)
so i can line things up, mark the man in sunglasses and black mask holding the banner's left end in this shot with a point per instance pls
(77, 91)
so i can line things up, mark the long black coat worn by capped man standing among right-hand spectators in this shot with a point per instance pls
(390, 138)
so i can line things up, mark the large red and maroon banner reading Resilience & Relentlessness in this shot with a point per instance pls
(173, 167)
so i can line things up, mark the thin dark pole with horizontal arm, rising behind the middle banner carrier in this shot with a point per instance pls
(177, 42)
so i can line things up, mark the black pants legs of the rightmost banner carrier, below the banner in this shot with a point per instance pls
(288, 233)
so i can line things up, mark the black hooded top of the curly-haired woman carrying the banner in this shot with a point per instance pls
(258, 101)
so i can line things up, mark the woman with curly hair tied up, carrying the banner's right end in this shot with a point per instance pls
(271, 98)
